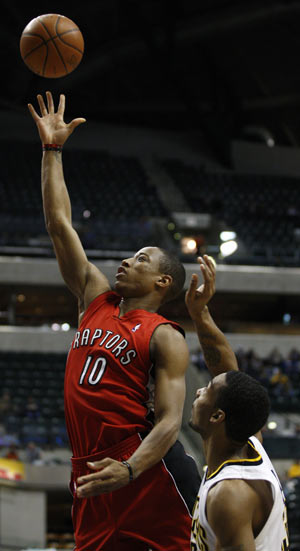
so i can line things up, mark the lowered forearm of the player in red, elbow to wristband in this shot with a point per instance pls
(154, 447)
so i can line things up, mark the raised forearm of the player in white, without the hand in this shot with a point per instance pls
(218, 354)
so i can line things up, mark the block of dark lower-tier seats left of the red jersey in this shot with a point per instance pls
(35, 384)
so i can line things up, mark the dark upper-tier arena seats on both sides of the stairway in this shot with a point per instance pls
(112, 197)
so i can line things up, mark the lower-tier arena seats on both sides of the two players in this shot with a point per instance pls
(35, 384)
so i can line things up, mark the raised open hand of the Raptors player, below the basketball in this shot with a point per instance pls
(51, 126)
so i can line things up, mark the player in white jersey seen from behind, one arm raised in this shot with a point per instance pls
(240, 504)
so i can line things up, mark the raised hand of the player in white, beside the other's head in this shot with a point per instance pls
(196, 298)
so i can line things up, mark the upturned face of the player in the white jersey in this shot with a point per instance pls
(204, 405)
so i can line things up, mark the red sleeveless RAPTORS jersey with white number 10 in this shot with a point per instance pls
(107, 375)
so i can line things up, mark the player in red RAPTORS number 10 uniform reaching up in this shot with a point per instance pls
(133, 485)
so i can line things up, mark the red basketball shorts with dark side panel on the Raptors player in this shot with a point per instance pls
(150, 513)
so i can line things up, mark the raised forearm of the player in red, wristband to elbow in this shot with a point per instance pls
(56, 201)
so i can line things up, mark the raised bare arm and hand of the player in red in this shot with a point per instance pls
(82, 277)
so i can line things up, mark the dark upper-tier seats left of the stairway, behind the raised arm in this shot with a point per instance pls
(111, 197)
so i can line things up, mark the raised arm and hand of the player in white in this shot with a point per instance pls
(218, 354)
